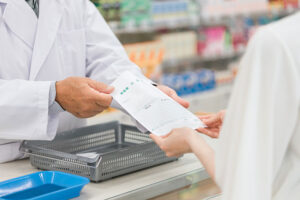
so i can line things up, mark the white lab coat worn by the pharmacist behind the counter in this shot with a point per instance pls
(70, 38)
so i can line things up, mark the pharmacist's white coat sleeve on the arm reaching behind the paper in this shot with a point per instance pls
(106, 57)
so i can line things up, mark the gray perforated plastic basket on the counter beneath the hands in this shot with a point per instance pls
(117, 150)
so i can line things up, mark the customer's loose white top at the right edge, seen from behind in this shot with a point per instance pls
(259, 153)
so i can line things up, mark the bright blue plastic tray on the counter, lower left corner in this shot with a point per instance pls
(46, 185)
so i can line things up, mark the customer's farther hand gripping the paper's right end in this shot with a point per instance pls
(214, 124)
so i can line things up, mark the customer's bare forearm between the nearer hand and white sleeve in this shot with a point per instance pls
(204, 152)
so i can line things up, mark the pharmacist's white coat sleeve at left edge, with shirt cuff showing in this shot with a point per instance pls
(24, 109)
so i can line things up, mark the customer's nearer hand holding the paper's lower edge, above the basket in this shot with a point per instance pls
(176, 143)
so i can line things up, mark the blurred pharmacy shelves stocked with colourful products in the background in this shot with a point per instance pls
(192, 46)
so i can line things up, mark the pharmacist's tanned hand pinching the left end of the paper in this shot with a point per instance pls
(83, 97)
